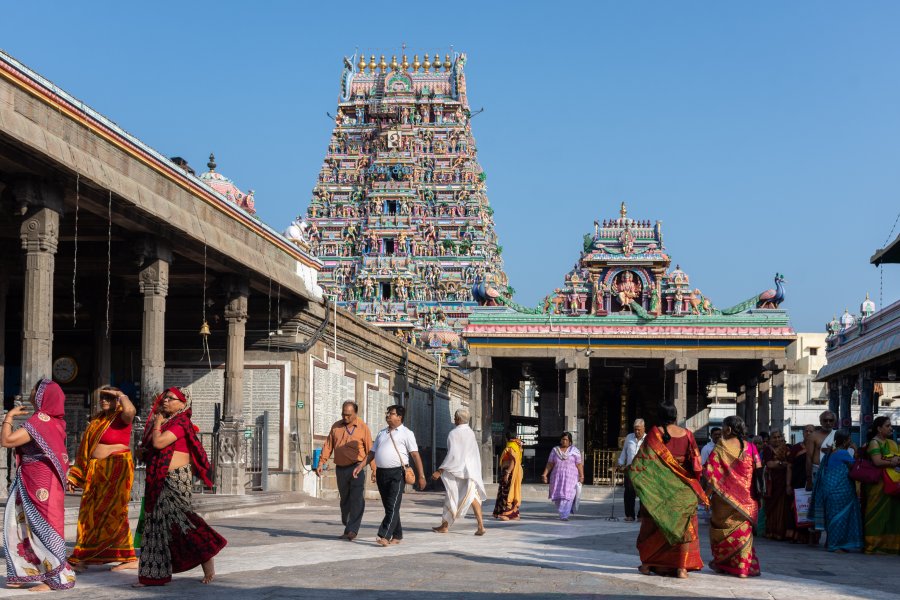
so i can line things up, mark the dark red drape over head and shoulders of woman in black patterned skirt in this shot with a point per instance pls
(158, 459)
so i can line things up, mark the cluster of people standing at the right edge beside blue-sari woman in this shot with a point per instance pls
(854, 515)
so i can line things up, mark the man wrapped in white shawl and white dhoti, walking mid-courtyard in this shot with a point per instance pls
(461, 475)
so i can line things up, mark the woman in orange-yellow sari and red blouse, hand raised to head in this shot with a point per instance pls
(104, 469)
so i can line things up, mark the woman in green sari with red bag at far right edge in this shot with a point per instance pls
(882, 510)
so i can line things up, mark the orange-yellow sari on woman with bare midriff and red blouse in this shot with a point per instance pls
(104, 534)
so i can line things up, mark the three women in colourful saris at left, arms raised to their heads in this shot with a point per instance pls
(172, 538)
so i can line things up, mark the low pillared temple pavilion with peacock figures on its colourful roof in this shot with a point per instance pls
(623, 332)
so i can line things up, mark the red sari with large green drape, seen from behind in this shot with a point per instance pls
(664, 476)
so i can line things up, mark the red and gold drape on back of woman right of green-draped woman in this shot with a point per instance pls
(731, 477)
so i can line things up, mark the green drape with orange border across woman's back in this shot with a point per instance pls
(667, 491)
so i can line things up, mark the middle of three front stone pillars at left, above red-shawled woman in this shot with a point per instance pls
(153, 283)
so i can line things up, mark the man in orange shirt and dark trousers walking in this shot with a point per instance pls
(351, 441)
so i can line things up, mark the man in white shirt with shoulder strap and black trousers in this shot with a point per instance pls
(393, 447)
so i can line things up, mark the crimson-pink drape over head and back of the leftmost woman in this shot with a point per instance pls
(47, 426)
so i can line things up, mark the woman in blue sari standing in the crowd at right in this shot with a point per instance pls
(837, 495)
